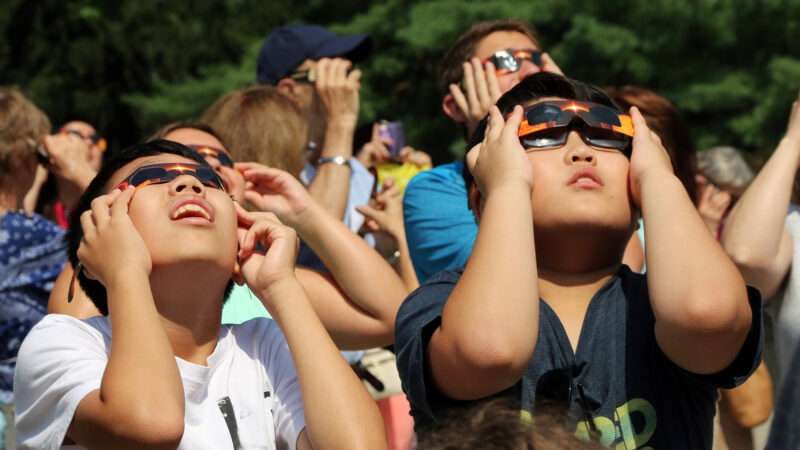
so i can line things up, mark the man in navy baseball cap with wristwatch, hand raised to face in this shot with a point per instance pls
(312, 66)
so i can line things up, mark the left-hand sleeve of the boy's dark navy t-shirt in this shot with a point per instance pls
(417, 319)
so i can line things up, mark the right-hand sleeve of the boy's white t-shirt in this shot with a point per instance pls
(288, 414)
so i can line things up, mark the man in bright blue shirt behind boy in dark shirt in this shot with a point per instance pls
(486, 61)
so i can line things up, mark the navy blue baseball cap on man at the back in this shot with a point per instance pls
(287, 47)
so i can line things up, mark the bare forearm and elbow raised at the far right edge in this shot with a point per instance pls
(753, 230)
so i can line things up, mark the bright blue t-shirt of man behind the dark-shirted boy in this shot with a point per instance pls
(440, 227)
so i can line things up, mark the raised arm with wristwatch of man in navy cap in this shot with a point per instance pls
(339, 93)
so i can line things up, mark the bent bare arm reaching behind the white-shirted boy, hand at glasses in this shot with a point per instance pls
(359, 308)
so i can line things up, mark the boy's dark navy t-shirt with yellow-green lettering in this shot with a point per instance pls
(636, 397)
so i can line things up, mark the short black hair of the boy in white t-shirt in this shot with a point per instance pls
(94, 289)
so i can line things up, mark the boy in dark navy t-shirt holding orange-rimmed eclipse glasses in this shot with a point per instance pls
(546, 313)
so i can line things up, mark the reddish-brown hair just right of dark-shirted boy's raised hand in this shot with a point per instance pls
(664, 119)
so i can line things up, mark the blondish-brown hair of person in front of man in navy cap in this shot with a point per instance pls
(259, 124)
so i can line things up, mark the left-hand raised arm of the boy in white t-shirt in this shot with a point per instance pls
(140, 403)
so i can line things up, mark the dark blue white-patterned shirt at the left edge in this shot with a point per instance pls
(32, 254)
